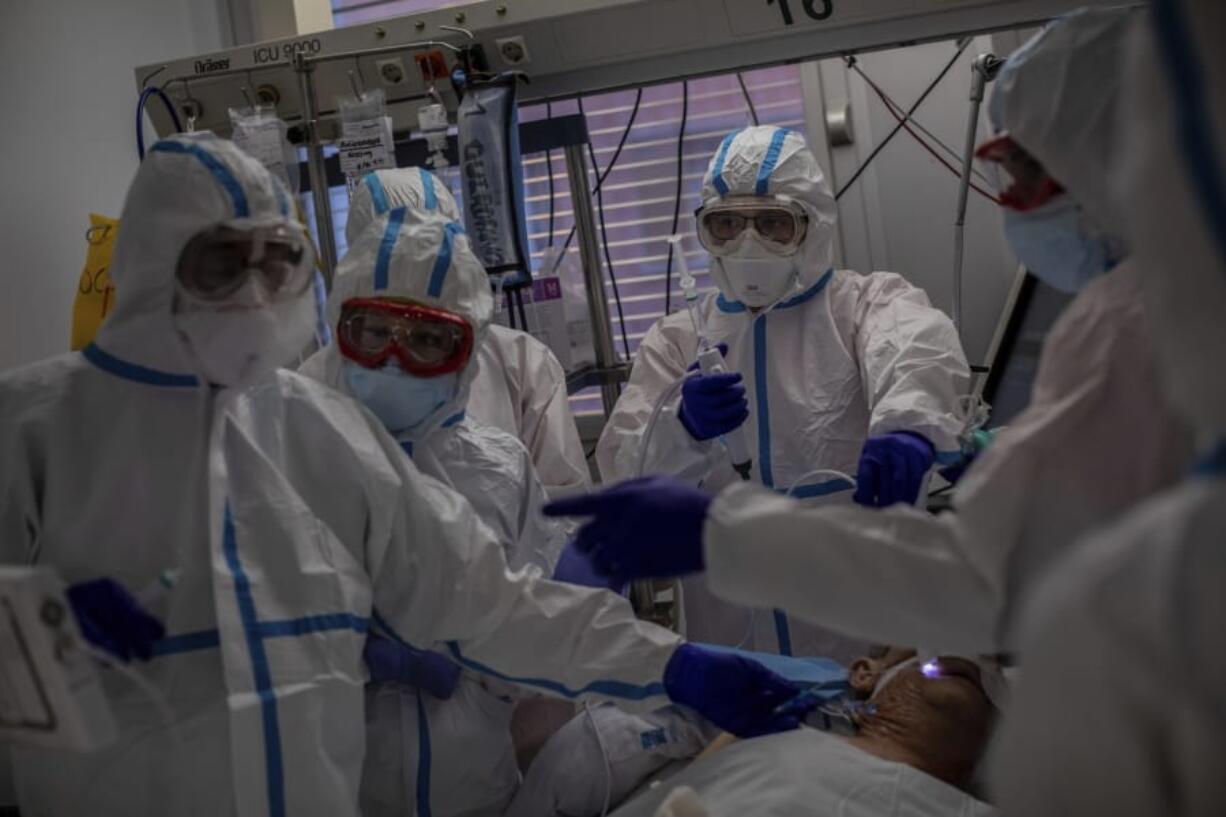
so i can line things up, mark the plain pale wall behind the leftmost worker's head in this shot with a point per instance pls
(68, 145)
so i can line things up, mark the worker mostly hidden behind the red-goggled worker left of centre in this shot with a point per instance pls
(519, 386)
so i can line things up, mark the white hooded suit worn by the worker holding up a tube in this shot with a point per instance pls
(842, 358)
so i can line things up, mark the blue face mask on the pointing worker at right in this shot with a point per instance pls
(1059, 245)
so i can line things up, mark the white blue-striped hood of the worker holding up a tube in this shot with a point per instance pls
(774, 161)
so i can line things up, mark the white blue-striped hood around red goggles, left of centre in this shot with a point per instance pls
(427, 261)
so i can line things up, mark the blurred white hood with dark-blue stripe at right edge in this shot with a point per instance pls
(1174, 185)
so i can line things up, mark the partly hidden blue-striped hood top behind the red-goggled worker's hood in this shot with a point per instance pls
(416, 190)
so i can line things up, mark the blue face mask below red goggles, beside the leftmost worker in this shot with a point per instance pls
(400, 401)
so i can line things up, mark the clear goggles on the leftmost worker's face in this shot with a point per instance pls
(219, 262)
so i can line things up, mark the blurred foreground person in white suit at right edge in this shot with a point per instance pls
(1122, 706)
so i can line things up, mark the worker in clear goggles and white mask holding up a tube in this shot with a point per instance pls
(828, 369)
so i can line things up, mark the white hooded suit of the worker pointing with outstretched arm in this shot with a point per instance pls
(1095, 440)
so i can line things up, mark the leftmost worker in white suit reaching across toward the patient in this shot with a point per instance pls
(281, 516)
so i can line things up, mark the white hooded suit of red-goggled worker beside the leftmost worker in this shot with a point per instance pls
(470, 767)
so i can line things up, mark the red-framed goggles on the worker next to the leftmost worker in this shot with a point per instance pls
(422, 340)
